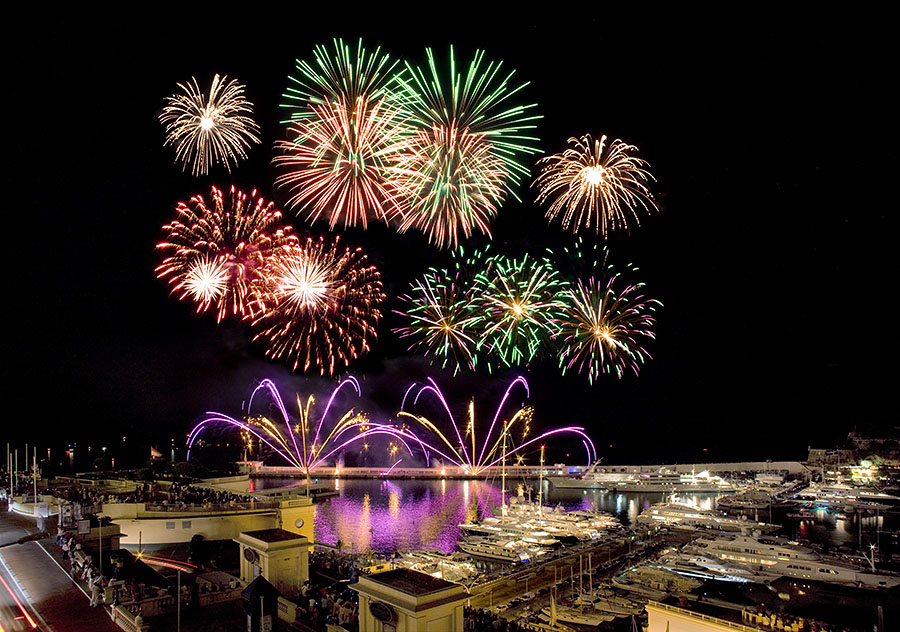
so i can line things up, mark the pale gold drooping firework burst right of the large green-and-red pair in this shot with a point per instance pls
(592, 184)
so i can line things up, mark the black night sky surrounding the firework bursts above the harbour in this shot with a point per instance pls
(773, 143)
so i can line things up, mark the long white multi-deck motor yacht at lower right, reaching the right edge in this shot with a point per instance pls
(780, 557)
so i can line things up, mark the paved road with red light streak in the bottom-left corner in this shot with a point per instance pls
(60, 603)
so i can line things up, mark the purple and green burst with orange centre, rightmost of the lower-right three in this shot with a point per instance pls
(602, 329)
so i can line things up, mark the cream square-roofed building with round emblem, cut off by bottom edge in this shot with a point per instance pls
(403, 600)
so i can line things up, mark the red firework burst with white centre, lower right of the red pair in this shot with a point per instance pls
(319, 305)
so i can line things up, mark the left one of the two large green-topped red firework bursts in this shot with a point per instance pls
(348, 122)
